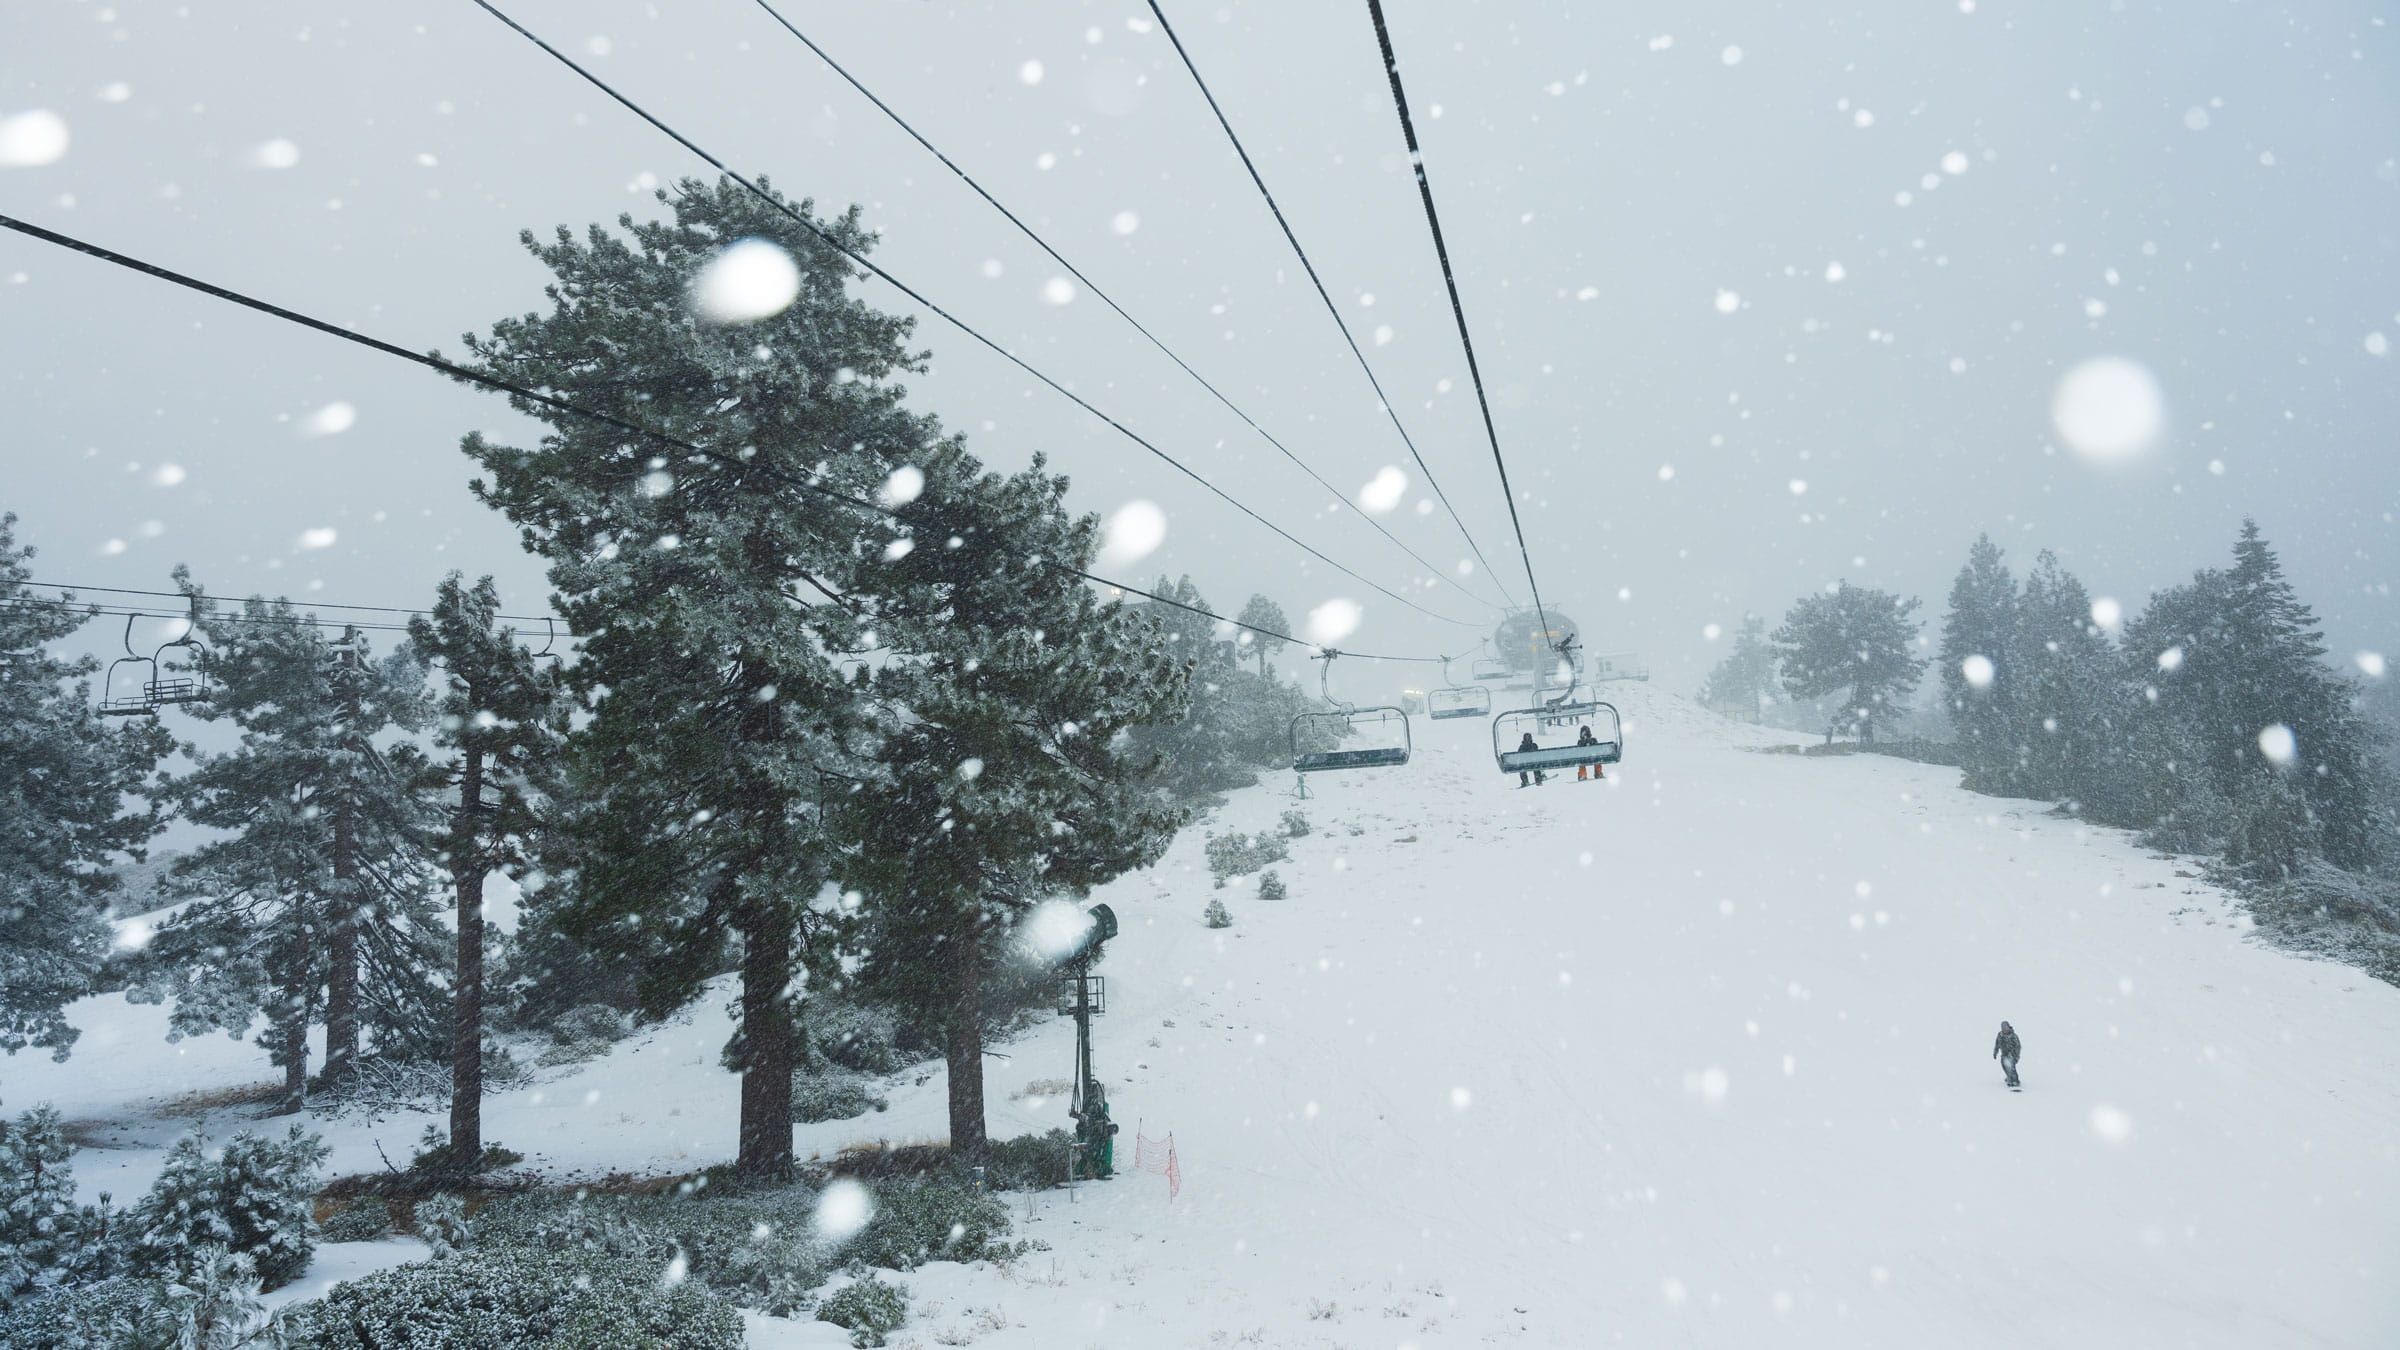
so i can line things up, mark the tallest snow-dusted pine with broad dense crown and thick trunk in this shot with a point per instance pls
(724, 667)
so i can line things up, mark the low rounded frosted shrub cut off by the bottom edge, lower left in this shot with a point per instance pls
(503, 1301)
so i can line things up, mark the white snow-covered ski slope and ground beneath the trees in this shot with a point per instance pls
(1696, 1056)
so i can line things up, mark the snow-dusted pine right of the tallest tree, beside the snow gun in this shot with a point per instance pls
(1002, 777)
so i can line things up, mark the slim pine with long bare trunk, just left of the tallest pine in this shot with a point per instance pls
(503, 724)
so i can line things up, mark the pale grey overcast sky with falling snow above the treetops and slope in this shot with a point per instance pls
(1768, 294)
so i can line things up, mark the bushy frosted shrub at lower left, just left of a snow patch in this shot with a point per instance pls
(248, 1197)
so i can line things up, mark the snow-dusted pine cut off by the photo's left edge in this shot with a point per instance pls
(64, 784)
